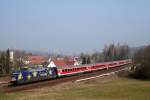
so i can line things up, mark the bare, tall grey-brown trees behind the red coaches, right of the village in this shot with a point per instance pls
(110, 52)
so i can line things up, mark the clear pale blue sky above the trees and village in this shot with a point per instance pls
(73, 26)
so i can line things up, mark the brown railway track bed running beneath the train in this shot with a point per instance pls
(8, 88)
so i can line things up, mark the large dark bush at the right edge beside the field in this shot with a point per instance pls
(142, 62)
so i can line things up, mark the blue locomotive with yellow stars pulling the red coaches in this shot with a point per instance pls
(32, 74)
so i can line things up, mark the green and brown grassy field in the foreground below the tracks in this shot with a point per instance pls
(108, 88)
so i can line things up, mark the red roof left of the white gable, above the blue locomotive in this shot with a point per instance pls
(36, 59)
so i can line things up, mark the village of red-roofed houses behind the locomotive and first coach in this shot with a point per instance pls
(21, 58)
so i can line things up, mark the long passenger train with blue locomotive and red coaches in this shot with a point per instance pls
(34, 74)
